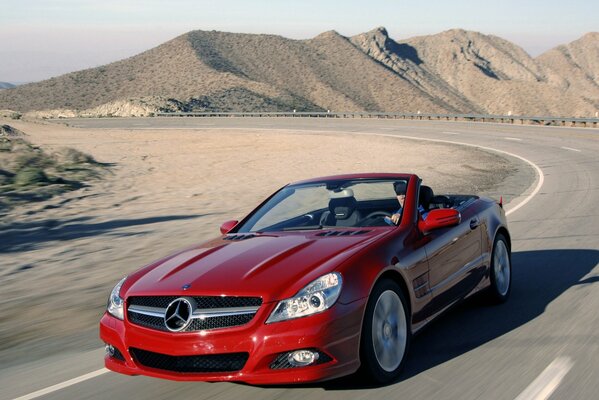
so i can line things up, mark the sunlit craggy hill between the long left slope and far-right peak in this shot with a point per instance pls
(498, 76)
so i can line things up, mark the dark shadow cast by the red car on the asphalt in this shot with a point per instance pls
(538, 278)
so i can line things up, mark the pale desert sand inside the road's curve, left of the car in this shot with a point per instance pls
(166, 190)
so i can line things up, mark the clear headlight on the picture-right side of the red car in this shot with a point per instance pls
(318, 296)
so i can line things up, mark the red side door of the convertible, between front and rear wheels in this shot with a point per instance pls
(455, 261)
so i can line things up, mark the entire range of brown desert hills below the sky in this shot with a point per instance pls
(452, 72)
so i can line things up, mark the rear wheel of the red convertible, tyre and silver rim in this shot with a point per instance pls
(500, 271)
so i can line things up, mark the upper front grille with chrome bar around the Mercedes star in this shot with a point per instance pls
(160, 303)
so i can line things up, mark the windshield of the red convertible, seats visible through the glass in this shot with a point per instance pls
(351, 203)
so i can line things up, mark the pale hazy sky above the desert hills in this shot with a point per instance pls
(40, 39)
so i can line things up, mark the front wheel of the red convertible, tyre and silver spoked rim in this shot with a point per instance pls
(386, 334)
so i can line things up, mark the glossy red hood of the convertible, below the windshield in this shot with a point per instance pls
(268, 266)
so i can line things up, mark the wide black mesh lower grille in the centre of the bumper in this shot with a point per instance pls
(230, 362)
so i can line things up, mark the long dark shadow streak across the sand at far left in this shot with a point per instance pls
(25, 236)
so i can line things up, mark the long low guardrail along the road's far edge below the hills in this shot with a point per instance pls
(512, 119)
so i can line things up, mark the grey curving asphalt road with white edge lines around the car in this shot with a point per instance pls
(544, 342)
